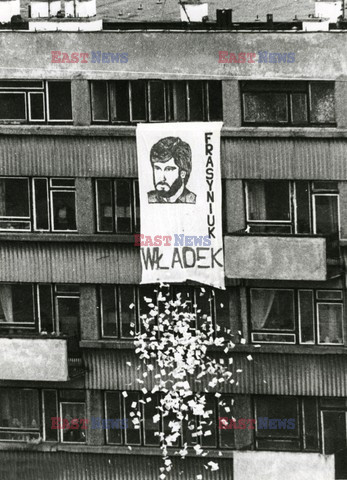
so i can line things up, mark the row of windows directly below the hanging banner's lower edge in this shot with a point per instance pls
(293, 316)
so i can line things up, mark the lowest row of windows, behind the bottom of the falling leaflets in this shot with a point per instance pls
(318, 424)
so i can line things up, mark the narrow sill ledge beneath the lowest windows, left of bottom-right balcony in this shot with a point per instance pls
(108, 449)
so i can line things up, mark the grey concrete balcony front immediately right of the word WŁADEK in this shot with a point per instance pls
(264, 257)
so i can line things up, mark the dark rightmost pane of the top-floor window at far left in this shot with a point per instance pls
(59, 100)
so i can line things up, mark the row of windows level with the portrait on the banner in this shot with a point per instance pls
(272, 206)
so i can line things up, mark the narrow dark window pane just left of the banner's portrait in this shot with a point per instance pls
(123, 197)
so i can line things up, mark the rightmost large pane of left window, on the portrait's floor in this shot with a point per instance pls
(64, 210)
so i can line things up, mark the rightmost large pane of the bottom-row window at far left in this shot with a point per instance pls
(74, 412)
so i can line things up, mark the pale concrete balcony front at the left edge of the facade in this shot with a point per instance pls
(34, 359)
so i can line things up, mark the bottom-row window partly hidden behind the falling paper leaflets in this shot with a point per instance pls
(125, 408)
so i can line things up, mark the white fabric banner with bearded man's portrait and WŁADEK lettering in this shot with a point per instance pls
(180, 203)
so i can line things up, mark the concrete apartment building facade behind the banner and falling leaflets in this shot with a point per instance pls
(69, 210)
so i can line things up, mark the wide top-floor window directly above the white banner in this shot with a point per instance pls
(156, 101)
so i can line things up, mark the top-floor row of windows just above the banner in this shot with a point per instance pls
(276, 103)
